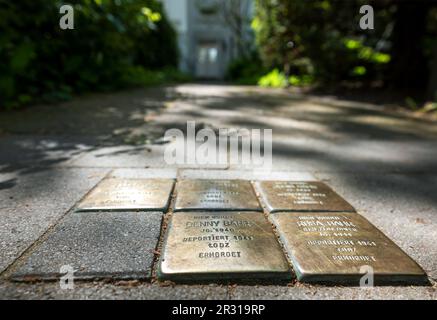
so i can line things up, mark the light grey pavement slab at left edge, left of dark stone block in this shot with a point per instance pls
(30, 203)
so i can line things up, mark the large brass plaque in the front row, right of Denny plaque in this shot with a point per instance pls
(333, 247)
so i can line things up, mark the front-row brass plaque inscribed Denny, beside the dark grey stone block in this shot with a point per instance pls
(221, 246)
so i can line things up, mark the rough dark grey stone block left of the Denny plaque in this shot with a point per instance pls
(109, 245)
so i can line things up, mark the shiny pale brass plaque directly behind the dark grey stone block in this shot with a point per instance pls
(128, 194)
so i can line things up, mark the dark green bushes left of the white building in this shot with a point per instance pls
(115, 44)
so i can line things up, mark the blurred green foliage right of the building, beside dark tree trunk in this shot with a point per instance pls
(321, 39)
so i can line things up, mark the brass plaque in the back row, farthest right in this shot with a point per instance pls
(300, 196)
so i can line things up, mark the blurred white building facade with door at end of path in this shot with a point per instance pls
(211, 33)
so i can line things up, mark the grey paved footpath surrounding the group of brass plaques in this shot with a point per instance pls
(382, 161)
